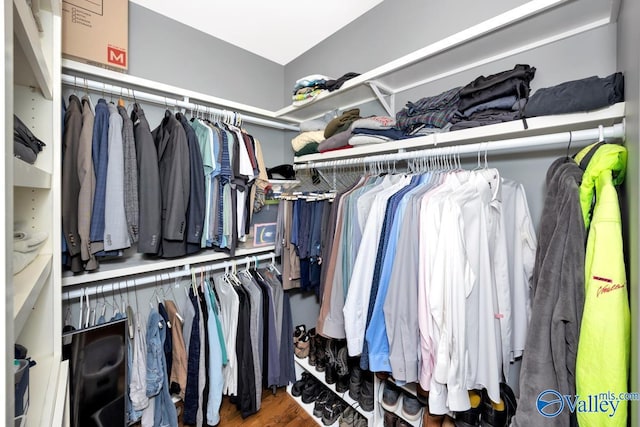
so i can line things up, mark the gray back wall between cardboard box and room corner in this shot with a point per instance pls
(167, 51)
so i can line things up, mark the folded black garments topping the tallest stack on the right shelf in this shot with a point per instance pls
(506, 83)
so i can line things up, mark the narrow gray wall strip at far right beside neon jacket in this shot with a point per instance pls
(629, 63)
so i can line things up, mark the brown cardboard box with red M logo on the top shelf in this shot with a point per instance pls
(96, 32)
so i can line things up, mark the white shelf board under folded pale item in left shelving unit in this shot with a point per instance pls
(27, 286)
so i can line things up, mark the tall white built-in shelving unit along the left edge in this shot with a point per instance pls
(32, 194)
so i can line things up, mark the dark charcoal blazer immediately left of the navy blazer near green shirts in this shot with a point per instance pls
(173, 165)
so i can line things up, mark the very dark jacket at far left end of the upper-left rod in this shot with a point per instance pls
(70, 180)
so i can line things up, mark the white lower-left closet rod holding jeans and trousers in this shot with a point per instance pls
(124, 284)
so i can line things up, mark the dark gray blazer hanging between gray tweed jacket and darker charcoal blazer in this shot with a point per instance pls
(149, 196)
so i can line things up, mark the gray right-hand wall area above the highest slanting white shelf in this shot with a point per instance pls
(390, 30)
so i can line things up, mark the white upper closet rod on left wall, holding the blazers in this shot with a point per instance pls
(83, 83)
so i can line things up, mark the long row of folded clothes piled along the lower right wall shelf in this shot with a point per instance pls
(497, 98)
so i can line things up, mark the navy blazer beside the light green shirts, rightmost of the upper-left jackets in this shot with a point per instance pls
(196, 208)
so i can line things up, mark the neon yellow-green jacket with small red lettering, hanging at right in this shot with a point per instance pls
(602, 363)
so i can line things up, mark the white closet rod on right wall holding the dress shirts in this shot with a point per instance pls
(515, 144)
